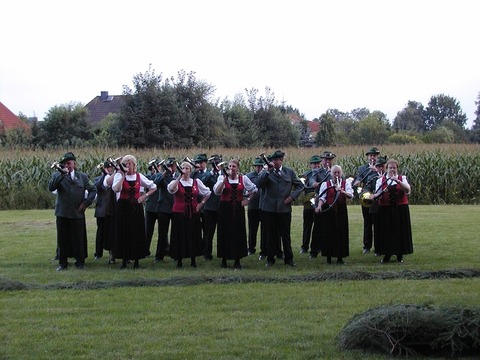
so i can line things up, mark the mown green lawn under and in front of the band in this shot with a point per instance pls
(159, 311)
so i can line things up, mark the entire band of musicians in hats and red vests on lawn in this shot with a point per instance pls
(195, 201)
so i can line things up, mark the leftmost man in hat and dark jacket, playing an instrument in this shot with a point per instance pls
(75, 192)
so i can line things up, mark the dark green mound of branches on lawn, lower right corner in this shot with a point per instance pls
(412, 329)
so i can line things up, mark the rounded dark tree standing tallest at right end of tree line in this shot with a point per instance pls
(440, 108)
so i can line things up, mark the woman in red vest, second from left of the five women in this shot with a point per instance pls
(186, 234)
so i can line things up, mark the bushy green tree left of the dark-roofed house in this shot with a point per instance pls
(64, 125)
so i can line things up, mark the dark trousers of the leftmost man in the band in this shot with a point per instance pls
(71, 240)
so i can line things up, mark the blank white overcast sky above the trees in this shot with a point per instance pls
(315, 55)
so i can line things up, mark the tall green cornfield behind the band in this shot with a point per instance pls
(438, 174)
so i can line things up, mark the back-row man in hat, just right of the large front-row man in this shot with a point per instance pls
(308, 208)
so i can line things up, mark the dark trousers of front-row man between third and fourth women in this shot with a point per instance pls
(278, 234)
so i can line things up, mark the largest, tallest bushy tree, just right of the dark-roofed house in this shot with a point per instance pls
(176, 112)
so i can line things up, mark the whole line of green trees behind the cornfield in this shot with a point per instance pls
(181, 112)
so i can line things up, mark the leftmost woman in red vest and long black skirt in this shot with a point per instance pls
(130, 238)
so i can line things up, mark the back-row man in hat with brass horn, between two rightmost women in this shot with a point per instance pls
(365, 173)
